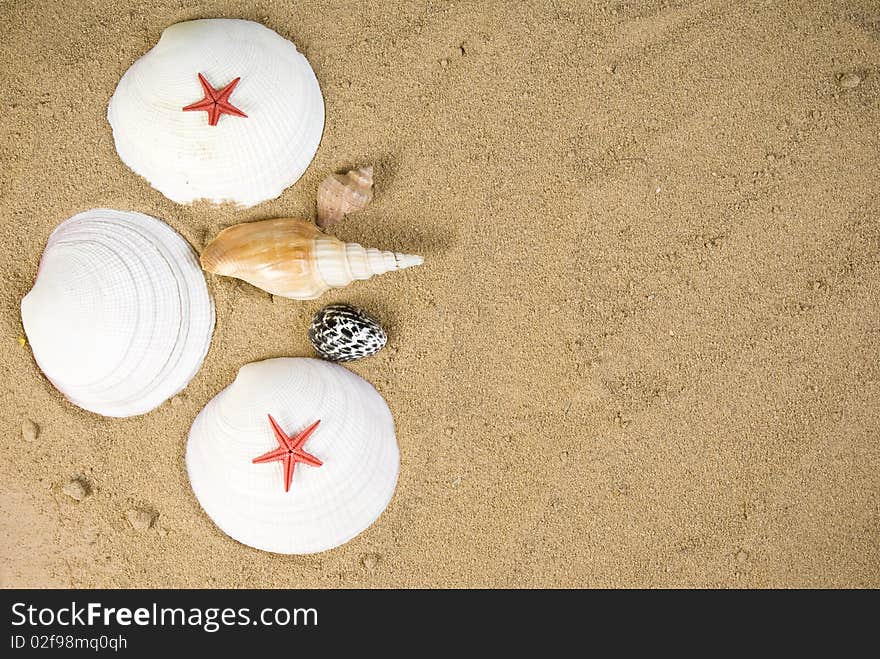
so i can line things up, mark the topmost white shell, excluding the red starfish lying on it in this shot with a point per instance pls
(240, 160)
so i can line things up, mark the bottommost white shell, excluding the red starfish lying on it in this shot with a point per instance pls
(327, 505)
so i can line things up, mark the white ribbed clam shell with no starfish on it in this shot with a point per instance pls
(119, 318)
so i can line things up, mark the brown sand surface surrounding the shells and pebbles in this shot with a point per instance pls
(643, 350)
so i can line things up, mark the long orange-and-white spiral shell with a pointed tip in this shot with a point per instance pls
(291, 258)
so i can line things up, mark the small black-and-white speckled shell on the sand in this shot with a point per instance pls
(342, 333)
